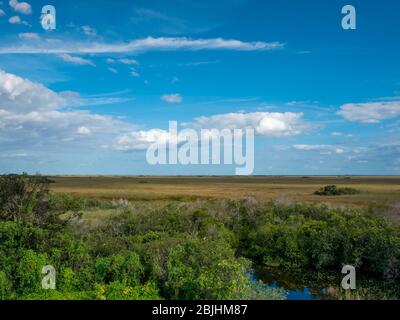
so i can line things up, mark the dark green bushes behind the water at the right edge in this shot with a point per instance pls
(324, 239)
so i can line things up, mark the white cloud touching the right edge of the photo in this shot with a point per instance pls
(370, 112)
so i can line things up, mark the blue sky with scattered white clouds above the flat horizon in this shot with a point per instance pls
(85, 98)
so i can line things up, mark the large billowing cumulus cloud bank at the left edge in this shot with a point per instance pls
(31, 114)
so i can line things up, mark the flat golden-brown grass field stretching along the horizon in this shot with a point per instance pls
(375, 190)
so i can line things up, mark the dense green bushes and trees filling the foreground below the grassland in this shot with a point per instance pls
(197, 250)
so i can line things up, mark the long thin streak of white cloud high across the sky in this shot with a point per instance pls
(141, 45)
